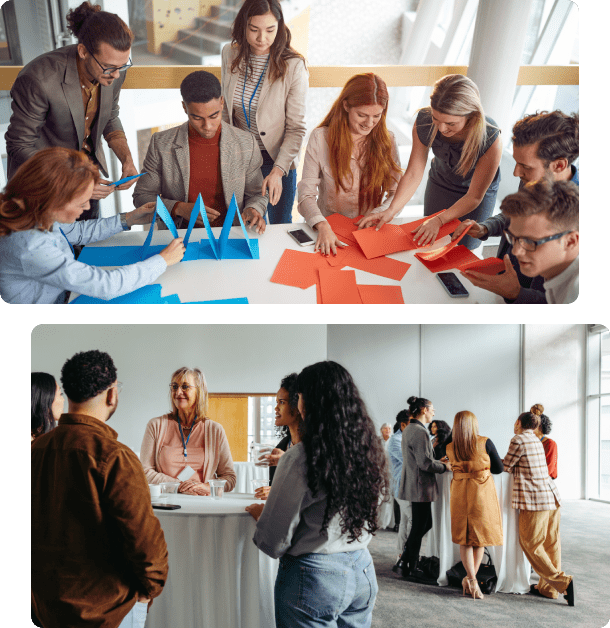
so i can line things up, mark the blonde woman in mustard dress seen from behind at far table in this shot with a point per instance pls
(476, 520)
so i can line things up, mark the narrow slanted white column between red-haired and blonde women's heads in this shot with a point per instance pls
(416, 47)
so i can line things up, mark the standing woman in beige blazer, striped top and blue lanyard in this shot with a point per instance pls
(264, 86)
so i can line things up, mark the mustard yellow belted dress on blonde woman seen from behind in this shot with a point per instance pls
(476, 519)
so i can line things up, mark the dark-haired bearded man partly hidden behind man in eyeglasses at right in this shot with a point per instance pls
(544, 144)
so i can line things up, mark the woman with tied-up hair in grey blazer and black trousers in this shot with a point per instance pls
(418, 481)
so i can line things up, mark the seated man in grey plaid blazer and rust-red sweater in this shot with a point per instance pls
(204, 156)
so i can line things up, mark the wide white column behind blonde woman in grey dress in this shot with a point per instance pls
(495, 57)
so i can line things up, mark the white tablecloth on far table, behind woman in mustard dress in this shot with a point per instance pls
(512, 568)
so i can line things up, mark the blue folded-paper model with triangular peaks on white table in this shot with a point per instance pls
(212, 248)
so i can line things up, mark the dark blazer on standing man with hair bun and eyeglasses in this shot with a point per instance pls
(48, 109)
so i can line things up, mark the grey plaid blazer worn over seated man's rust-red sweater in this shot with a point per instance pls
(168, 165)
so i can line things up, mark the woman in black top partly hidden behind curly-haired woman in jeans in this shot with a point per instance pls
(288, 421)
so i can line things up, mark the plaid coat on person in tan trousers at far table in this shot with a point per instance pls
(533, 488)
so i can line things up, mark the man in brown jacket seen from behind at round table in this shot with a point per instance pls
(98, 551)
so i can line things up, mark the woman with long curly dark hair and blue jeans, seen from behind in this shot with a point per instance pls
(323, 506)
